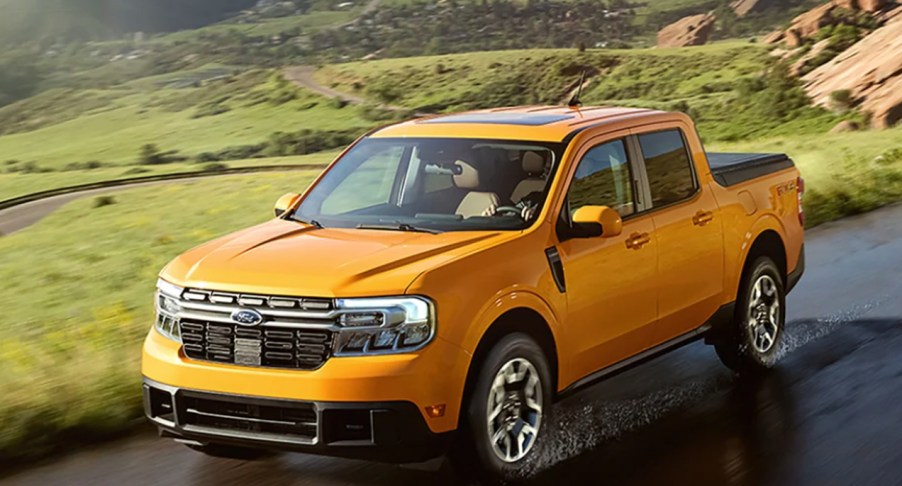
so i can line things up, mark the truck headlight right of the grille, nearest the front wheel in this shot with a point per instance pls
(384, 325)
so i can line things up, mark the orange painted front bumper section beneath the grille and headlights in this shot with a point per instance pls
(432, 376)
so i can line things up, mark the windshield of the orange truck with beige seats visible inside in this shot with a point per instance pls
(433, 184)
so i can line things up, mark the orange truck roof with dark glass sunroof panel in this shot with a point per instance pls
(532, 123)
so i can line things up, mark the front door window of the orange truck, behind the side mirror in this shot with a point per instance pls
(603, 179)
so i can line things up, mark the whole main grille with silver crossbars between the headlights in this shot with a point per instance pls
(295, 333)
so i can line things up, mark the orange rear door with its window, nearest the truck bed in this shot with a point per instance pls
(688, 227)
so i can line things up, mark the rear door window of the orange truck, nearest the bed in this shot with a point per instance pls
(669, 168)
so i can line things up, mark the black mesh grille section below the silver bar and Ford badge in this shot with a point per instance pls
(259, 346)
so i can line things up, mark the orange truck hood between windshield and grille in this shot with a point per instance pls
(289, 258)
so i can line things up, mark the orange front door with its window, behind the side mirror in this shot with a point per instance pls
(611, 290)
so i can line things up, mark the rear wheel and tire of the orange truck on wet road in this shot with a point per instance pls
(752, 344)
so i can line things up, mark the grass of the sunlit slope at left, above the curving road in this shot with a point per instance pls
(113, 133)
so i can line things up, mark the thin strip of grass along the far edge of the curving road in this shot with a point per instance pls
(15, 185)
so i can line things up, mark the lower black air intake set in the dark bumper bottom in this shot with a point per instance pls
(296, 422)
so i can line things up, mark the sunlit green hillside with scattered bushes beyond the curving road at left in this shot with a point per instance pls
(58, 129)
